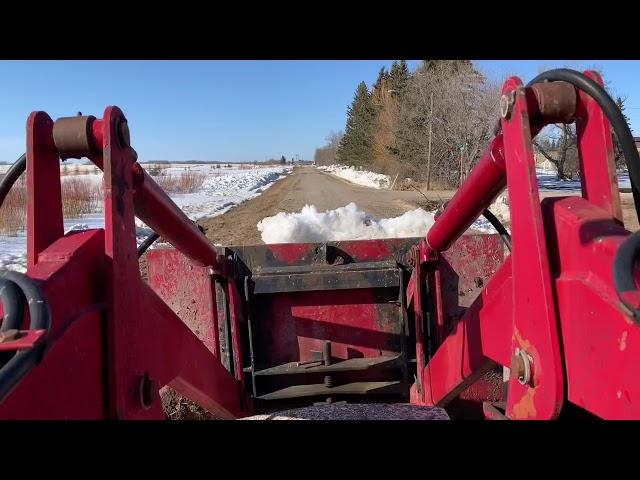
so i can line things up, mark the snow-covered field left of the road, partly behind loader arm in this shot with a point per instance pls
(223, 189)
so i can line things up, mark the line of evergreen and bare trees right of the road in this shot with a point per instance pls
(433, 124)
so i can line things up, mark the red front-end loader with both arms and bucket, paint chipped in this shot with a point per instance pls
(469, 310)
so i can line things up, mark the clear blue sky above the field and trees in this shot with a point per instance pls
(225, 110)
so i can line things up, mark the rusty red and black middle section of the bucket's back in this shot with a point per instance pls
(336, 303)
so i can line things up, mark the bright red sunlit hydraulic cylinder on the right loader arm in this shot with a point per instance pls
(479, 190)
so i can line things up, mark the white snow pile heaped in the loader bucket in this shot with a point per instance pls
(344, 223)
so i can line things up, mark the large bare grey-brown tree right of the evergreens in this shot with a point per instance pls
(465, 107)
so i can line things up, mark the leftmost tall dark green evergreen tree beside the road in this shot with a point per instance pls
(356, 145)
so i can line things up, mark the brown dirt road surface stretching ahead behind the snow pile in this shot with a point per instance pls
(310, 186)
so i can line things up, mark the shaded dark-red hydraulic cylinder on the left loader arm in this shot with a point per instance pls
(154, 207)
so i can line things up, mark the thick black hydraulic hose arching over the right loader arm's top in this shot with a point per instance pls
(613, 114)
